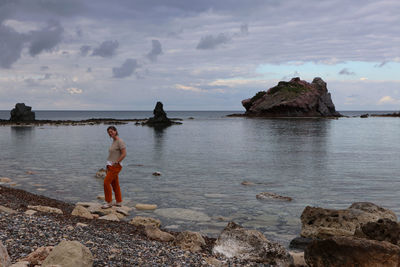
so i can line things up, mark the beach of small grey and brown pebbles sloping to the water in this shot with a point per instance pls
(111, 243)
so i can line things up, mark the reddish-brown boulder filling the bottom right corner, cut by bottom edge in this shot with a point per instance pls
(352, 251)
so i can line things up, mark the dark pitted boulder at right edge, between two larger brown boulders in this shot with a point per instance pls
(382, 230)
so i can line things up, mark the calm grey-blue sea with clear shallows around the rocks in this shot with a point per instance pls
(329, 163)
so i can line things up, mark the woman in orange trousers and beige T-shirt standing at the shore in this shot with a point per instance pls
(117, 153)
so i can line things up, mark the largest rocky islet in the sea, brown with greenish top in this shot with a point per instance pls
(296, 98)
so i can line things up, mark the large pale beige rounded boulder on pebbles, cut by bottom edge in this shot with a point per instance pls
(69, 254)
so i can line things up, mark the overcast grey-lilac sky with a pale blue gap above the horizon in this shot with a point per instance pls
(195, 55)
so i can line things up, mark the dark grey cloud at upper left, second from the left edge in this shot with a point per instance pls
(46, 39)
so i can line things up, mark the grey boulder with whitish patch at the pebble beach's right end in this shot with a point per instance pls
(245, 244)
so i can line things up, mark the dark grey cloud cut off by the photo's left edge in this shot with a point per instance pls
(11, 45)
